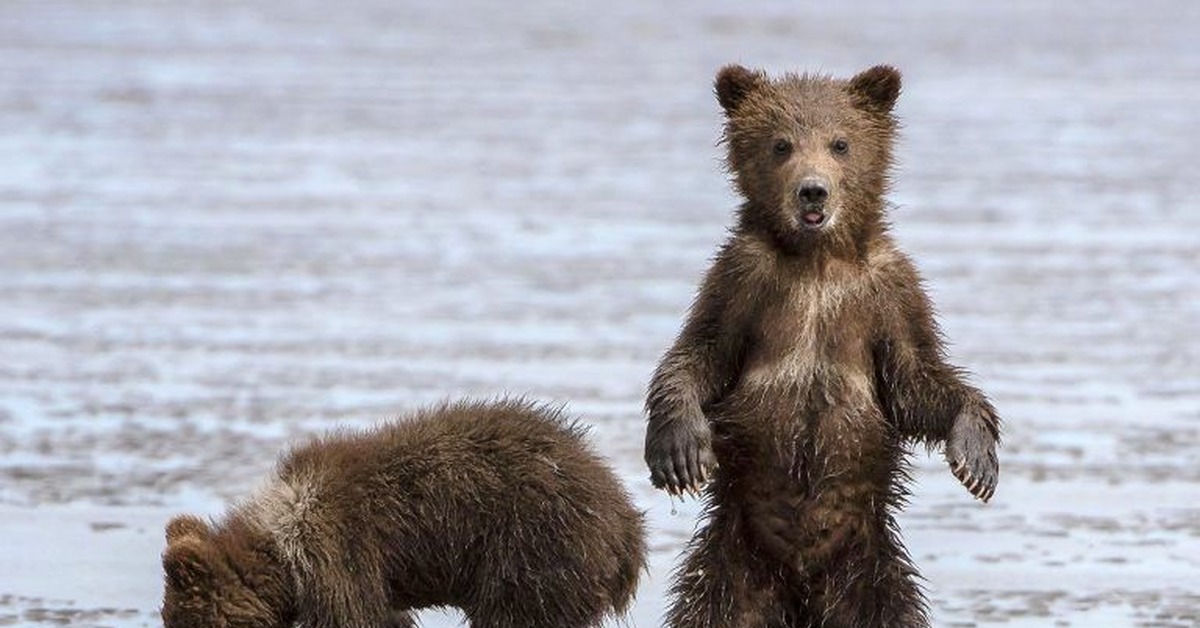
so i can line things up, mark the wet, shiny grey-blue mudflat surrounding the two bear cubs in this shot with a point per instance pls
(226, 224)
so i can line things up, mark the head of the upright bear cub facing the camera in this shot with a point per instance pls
(811, 154)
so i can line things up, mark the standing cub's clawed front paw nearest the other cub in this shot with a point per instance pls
(680, 456)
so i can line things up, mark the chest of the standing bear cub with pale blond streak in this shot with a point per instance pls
(808, 384)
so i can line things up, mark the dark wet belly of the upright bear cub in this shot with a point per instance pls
(811, 469)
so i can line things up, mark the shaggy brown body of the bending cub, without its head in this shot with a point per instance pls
(447, 499)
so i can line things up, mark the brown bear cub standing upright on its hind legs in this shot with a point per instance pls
(809, 360)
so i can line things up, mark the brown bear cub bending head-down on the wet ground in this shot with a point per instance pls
(501, 510)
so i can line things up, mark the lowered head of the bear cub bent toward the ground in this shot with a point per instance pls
(223, 579)
